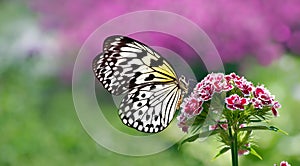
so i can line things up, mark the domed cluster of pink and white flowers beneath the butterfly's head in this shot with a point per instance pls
(241, 95)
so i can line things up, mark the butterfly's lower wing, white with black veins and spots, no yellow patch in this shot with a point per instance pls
(150, 108)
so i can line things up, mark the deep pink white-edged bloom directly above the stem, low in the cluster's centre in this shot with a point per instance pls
(234, 102)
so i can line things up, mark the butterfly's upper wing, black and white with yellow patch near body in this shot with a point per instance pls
(126, 63)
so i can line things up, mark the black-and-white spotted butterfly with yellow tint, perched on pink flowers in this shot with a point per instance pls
(153, 92)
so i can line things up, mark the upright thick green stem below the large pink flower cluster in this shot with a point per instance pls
(234, 147)
